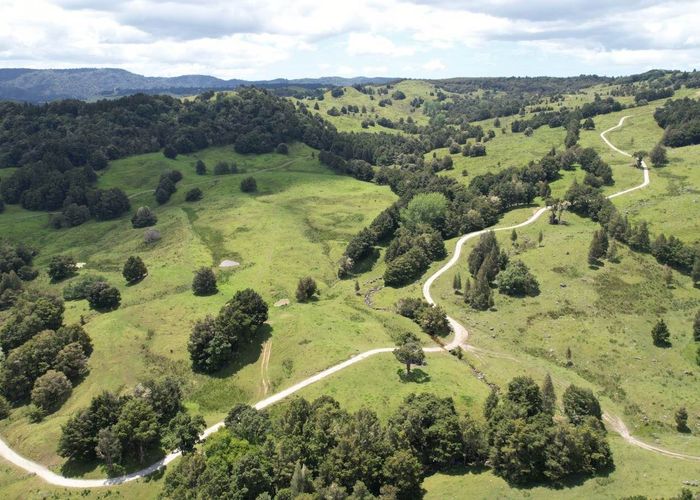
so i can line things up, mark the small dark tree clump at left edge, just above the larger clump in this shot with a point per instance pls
(15, 269)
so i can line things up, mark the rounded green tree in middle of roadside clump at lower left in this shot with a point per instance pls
(137, 426)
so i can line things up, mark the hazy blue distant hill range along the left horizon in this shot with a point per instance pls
(41, 85)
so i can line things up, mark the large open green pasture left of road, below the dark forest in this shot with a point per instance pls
(297, 224)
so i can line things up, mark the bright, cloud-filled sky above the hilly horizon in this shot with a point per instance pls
(264, 39)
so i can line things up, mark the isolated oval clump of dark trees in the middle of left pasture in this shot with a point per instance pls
(214, 341)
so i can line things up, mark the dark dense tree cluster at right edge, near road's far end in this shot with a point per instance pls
(681, 120)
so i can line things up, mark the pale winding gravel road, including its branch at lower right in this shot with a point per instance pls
(460, 339)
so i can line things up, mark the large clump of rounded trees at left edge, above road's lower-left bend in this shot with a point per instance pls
(44, 358)
